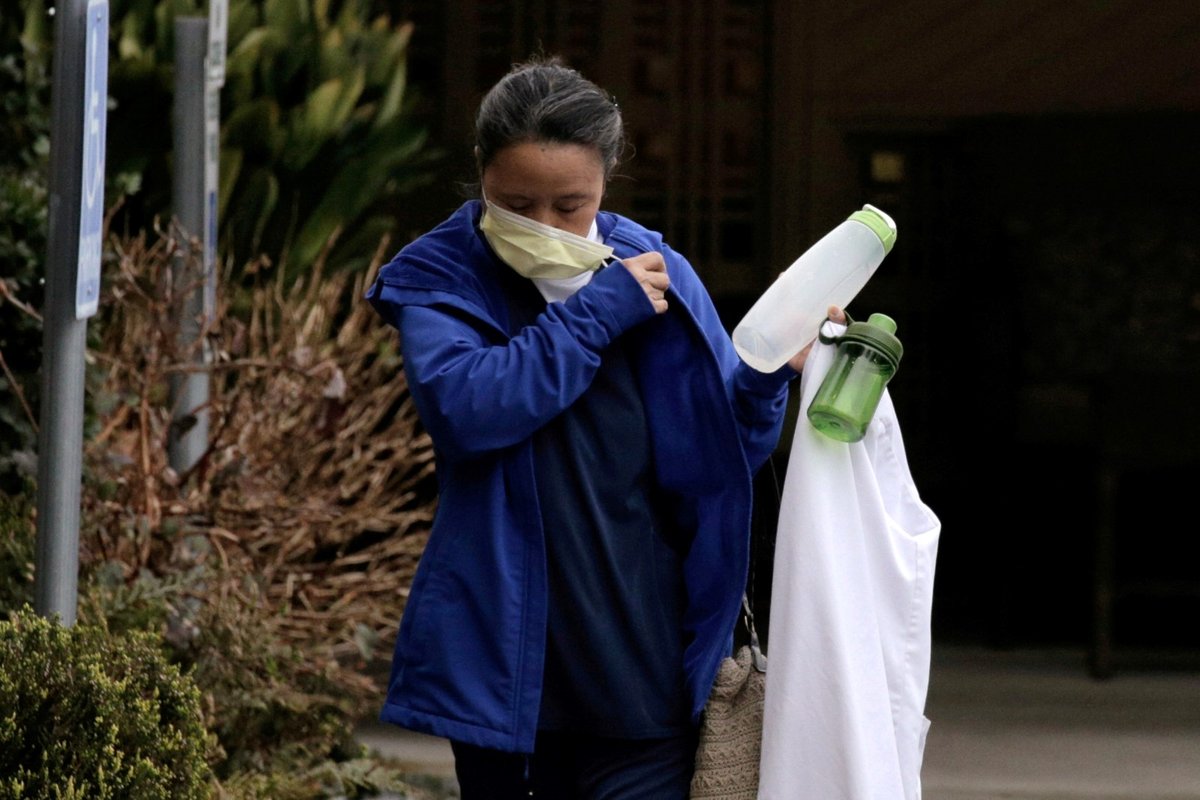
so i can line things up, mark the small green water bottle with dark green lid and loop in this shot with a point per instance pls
(868, 356)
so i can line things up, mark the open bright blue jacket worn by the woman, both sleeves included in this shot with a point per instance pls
(469, 661)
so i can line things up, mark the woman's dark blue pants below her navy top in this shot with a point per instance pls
(579, 767)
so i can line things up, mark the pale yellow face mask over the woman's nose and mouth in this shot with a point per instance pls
(539, 251)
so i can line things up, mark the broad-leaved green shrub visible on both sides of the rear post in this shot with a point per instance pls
(319, 143)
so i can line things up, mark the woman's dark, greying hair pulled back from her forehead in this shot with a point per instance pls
(547, 101)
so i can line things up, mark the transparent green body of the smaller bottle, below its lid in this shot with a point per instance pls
(851, 392)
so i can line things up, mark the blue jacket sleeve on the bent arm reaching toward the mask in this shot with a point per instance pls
(477, 396)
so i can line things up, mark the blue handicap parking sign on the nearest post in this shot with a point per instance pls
(92, 195)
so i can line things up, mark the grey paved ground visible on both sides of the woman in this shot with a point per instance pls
(1015, 726)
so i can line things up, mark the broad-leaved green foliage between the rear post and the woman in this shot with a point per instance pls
(319, 143)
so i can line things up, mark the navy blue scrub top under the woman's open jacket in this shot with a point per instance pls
(615, 575)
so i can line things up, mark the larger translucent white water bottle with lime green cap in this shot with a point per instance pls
(790, 312)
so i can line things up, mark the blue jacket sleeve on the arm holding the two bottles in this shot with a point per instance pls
(759, 400)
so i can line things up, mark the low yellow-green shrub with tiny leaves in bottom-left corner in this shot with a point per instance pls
(89, 714)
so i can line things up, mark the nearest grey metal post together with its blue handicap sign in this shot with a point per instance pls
(79, 119)
